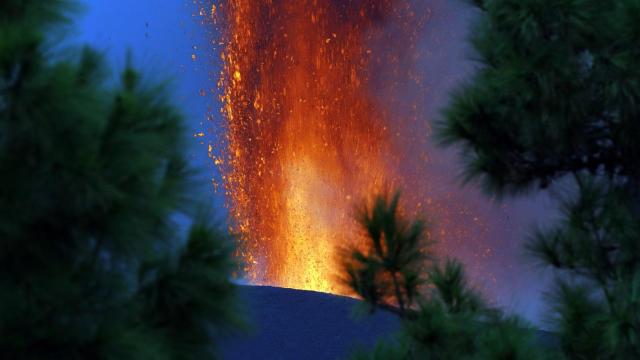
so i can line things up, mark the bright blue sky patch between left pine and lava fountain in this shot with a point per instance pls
(163, 35)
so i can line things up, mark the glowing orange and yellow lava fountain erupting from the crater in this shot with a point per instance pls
(309, 129)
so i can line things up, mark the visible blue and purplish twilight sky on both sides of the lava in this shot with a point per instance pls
(165, 34)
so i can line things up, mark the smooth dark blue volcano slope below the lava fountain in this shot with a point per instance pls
(298, 324)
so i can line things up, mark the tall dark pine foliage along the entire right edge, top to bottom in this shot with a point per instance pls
(556, 96)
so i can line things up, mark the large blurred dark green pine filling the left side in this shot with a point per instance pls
(92, 264)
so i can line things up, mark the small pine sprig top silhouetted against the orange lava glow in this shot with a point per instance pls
(389, 271)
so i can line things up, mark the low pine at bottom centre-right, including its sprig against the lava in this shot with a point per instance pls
(443, 318)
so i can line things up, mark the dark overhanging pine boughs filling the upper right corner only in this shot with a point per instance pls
(556, 93)
